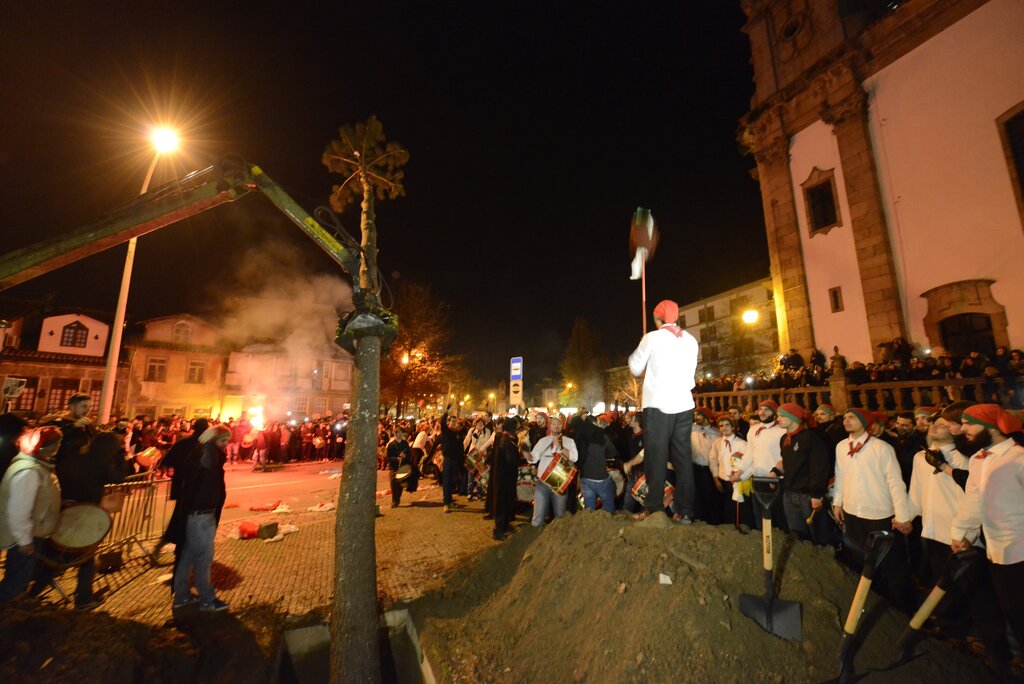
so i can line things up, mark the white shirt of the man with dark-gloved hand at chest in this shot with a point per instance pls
(934, 496)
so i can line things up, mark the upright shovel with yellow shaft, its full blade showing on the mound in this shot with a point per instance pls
(776, 617)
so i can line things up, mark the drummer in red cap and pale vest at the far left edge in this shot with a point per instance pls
(30, 505)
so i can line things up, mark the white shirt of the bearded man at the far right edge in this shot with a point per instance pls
(995, 502)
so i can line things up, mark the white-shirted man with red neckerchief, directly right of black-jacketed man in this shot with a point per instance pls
(871, 497)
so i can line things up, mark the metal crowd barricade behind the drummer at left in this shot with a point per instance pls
(139, 512)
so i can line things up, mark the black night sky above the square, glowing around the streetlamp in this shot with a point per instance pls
(535, 130)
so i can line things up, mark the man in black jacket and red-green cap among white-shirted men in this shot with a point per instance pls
(807, 468)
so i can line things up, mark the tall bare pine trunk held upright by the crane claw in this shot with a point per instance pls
(355, 651)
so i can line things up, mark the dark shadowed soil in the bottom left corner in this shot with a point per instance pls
(50, 644)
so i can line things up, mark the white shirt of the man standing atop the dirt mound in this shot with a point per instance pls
(671, 363)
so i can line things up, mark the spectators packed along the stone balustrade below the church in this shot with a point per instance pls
(1004, 372)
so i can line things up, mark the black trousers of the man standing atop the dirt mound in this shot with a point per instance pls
(668, 437)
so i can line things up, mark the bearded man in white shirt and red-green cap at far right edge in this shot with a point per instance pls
(994, 505)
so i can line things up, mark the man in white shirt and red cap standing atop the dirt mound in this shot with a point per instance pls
(667, 358)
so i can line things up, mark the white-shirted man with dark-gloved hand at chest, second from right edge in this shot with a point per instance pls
(934, 496)
